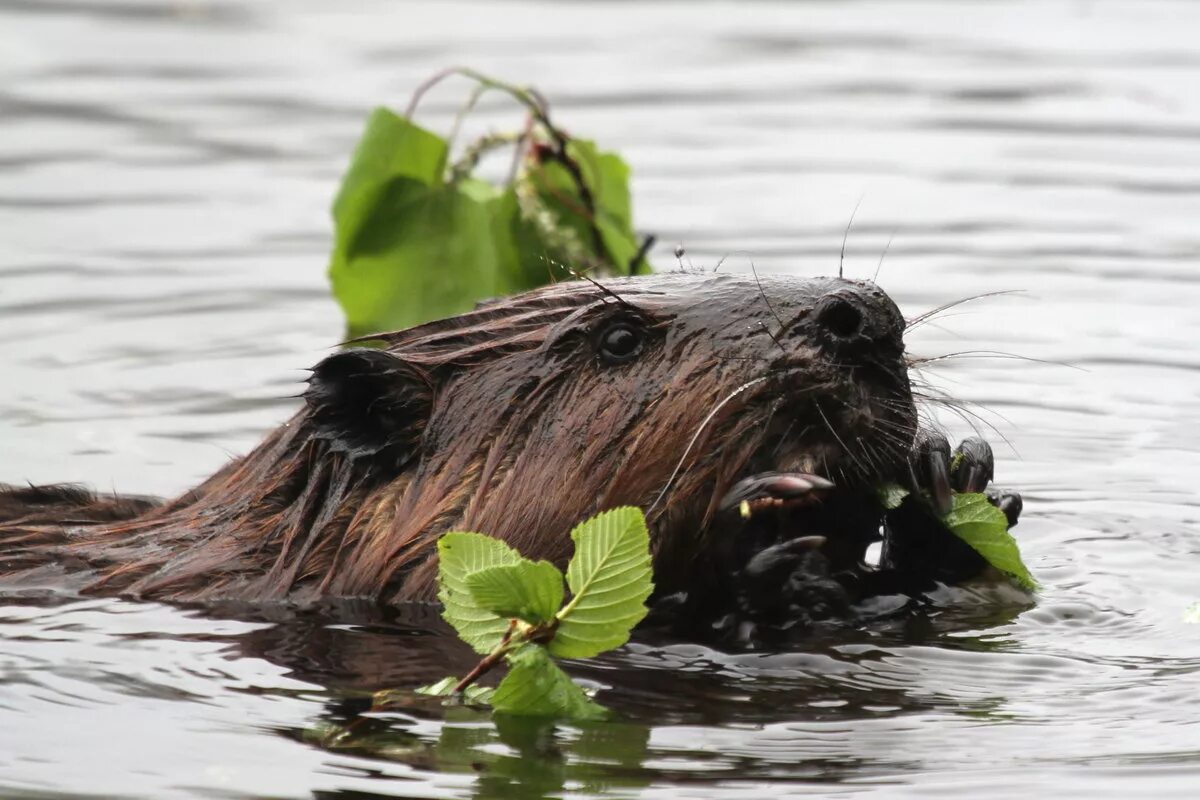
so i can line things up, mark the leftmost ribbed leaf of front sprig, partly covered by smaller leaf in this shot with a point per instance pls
(460, 555)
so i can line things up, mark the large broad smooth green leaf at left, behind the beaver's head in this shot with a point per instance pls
(409, 246)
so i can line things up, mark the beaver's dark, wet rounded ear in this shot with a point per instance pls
(370, 404)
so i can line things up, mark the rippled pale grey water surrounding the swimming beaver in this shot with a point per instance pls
(165, 177)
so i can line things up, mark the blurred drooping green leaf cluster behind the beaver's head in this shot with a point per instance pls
(419, 238)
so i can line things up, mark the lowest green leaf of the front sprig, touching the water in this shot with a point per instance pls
(537, 687)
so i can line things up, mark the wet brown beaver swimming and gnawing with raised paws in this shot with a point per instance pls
(695, 398)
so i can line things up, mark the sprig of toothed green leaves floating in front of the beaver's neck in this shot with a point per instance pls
(513, 610)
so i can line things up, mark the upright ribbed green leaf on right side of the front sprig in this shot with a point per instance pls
(610, 581)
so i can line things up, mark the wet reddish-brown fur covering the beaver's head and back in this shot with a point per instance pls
(506, 420)
